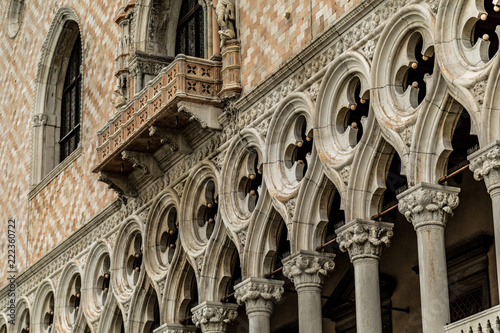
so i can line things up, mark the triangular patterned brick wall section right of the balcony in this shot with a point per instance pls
(268, 39)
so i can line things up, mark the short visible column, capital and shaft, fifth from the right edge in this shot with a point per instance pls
(259, 296)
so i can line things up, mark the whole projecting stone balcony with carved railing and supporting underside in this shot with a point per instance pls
(186, 90)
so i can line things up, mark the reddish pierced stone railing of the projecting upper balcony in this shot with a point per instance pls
(186, 79)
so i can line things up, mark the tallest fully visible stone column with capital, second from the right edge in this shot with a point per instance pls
(427, 207)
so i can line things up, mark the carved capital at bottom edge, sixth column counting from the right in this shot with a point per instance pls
(213, 317)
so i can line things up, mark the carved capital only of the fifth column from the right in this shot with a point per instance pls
(259, 295)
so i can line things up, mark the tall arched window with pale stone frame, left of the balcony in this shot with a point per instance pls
(58, 101)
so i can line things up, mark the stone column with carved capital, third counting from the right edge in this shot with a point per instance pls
(364, 241)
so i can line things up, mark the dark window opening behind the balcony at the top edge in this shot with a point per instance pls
(190, 30)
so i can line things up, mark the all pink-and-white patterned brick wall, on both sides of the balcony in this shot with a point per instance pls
(75, 195)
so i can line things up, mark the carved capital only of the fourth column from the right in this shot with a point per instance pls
(307, 268)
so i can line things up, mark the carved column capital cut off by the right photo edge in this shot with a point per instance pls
(485, 164)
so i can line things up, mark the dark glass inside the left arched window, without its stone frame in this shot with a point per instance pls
(70, 106)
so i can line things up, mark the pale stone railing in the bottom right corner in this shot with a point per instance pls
(487, 321)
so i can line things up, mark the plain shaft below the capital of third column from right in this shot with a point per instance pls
(366, 279)
